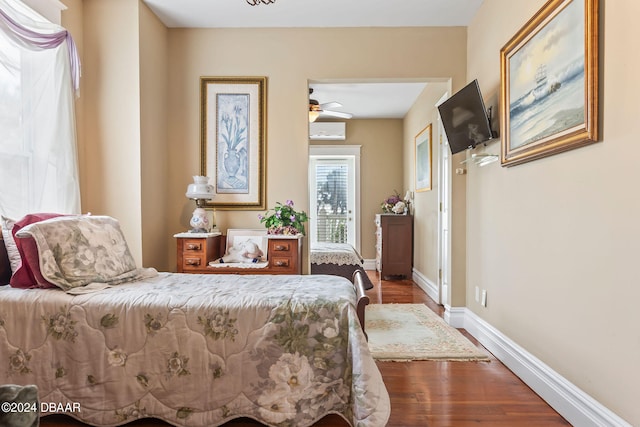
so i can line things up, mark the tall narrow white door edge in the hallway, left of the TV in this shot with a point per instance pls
(444, 215)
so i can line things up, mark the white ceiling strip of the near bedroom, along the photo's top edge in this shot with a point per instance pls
(314, 13)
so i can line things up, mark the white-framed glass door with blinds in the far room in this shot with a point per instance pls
(334, 194)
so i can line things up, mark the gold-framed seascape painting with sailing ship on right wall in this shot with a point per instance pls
(549, 83)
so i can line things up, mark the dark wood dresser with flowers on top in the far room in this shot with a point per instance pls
(394, 245)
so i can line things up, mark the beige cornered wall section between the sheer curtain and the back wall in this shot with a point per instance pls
(121, 119)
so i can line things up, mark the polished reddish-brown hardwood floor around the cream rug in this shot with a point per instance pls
(431, 393)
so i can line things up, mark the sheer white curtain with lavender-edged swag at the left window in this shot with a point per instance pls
(39, 74)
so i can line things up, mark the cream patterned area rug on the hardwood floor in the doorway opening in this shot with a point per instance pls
(404, 332)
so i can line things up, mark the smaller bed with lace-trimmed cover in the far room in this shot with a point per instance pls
(339, 259)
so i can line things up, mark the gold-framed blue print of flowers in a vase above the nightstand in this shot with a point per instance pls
(233, 140)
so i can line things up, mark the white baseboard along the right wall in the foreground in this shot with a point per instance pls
(571, 402)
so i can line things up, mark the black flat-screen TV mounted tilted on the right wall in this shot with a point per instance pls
(465, 119)
